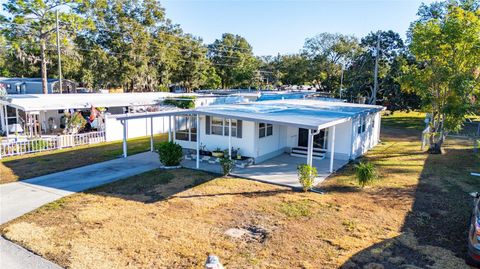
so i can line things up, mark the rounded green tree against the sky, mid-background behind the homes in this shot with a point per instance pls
(233, 59)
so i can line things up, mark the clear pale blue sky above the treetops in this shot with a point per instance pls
(275, 26)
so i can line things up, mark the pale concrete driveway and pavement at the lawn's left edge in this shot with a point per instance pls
(22, 197)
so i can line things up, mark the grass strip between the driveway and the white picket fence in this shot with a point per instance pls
(32, 165)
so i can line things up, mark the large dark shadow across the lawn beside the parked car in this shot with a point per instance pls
(435, 231)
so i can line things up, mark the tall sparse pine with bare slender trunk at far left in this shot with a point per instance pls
(30, 27)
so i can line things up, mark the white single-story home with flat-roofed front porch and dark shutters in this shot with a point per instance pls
(275, 136)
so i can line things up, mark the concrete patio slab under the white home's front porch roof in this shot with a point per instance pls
(280, 170)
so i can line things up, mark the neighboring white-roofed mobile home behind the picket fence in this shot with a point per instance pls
(44, 114)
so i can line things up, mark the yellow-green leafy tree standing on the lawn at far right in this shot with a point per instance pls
(446, 44)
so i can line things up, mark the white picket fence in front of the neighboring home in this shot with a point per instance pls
(23, 146)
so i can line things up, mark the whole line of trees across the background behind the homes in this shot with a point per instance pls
(132, 45)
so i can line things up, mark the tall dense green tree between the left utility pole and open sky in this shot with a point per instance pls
(123, 43)
